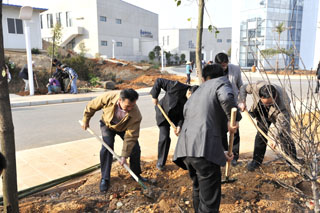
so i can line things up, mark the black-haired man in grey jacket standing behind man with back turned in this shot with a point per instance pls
(233, 73)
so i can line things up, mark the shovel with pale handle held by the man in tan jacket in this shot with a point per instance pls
(146, 191)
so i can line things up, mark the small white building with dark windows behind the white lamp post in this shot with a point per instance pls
(13, 30)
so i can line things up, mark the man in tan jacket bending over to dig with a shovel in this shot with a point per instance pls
(121, 116)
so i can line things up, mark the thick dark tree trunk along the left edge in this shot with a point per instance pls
(9, 180)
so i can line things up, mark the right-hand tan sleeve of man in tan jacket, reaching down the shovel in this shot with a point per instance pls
(131, 137)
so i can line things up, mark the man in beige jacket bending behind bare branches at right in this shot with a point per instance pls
(271, 104)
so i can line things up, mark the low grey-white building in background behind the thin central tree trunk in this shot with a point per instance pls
(183, 41)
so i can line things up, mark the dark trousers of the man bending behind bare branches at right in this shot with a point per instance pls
(260, 142)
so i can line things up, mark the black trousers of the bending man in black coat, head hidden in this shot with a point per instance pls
(163, 144)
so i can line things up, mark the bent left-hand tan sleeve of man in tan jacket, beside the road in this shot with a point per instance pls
(95, 105)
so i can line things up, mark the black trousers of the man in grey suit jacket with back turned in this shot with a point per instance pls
(206, 177)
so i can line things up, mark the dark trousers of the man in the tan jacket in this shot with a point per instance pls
(106, 157)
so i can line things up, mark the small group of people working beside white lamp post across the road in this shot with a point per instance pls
(56, 83)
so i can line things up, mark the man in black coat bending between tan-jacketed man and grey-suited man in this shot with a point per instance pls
(172, 103)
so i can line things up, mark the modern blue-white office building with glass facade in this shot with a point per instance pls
(254, 29)
